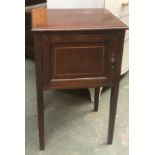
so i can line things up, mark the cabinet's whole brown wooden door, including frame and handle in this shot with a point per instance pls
(79, 62)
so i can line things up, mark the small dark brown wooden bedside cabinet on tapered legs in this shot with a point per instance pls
(80, 48)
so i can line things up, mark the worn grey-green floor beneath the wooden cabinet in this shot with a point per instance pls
(71, 127)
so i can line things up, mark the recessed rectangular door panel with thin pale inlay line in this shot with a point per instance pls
(78, 61)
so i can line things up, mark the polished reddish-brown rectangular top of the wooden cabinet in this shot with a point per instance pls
(74, 19)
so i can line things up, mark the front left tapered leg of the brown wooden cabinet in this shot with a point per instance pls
(39, 85)
